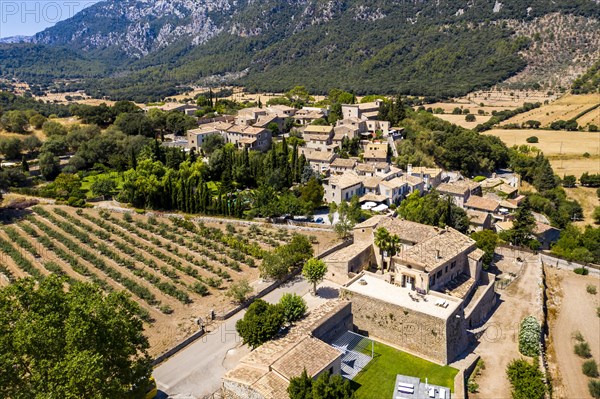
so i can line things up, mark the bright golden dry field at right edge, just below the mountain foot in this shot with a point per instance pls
(565, 108)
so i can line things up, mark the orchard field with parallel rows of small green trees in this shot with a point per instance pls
(177, 270)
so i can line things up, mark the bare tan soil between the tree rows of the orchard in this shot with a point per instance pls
(169, 329)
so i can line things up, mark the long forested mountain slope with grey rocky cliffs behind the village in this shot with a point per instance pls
(145, 48)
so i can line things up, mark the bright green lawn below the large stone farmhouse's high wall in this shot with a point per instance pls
(377, 380)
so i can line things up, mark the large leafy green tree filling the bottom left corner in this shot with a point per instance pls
(75, 343)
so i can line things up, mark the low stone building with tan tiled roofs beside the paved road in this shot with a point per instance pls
(265, 373)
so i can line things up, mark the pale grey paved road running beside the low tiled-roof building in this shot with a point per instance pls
(197, 370)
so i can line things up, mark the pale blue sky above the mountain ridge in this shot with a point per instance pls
(27, 17)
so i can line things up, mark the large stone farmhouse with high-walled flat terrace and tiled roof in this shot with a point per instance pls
(425, 298)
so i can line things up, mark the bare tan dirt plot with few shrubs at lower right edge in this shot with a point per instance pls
(571, 309)
